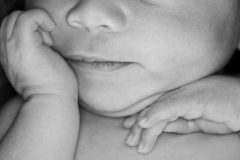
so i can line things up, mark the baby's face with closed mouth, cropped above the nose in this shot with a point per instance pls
(127, 53)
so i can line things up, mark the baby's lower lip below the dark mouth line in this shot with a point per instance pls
(101, 65)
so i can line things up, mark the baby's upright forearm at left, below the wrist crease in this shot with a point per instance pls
(45, 128)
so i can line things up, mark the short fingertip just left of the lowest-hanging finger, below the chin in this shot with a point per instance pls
(134, 136)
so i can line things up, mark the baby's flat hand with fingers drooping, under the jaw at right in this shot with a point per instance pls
(210, 105)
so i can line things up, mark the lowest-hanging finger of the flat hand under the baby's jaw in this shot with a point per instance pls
(149, 137)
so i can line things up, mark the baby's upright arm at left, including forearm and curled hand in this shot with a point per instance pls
(46, 126)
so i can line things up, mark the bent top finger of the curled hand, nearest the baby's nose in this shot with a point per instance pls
(30, 21)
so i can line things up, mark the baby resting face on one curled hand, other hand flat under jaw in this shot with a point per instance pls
(152, 60)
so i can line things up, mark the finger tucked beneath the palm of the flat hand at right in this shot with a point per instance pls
(182, 126)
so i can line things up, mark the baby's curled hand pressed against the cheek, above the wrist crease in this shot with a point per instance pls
(31, 66)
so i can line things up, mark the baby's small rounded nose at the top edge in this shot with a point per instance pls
(97, 15)
